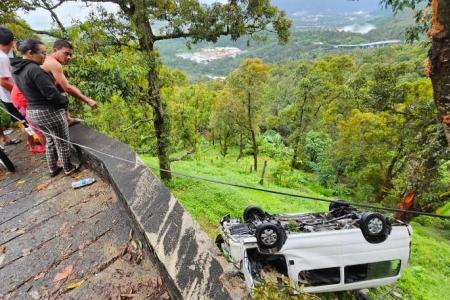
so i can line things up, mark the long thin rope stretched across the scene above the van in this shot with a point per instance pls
(216, 181)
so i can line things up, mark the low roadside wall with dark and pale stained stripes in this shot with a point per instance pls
(183, 249)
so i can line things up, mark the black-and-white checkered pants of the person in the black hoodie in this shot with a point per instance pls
(53, 123)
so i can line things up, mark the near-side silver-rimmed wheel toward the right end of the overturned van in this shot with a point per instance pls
(374, 227)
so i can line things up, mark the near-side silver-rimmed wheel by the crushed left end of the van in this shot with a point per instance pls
(270, 237)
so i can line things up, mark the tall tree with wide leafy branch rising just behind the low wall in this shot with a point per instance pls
(181, 19)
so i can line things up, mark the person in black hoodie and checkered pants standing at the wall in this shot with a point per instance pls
(46, 105)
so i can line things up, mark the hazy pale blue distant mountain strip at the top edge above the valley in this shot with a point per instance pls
(324, 6)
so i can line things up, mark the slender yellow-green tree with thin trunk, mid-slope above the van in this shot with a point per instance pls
(248, 82)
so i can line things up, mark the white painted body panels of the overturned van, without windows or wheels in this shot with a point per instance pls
(329, 249)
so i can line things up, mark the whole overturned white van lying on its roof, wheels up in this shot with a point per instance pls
(343, 249)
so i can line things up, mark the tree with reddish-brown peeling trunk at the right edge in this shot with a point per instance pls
(439, 55)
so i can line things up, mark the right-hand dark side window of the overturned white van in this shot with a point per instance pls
(370, 271)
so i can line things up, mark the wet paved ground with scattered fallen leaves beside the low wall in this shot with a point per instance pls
(61, 243)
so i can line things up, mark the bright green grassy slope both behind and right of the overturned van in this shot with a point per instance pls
(426, 277)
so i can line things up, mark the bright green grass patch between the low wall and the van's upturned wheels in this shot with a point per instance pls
(208, 202)
